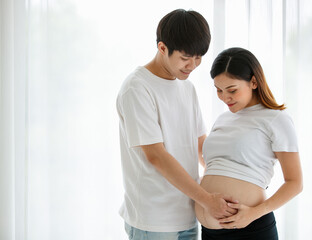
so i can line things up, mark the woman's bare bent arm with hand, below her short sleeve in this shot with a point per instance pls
(290, 163)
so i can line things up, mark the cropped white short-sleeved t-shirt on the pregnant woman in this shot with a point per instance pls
(241, 145)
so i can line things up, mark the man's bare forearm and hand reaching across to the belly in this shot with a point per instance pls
(171, 169)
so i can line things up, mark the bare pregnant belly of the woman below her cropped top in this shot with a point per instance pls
(245, 192)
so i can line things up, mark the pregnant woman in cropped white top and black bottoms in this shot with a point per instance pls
(242, 148)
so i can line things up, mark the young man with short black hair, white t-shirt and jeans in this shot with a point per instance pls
(161, 136)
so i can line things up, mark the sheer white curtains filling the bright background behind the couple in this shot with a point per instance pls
(62, 63)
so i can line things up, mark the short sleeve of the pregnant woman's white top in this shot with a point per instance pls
(284, 137)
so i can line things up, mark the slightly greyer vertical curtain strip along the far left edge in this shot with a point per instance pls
(13, 138)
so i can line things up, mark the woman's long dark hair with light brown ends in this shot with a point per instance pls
(241, 64)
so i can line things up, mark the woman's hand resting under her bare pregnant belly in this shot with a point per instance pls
(243, 218)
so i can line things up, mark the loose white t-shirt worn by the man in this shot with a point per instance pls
(153, 110)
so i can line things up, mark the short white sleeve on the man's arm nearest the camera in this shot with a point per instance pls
(140, 118)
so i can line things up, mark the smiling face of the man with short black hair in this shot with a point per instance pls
(180, 65)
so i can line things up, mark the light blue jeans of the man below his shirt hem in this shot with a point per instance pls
(137, 234)
